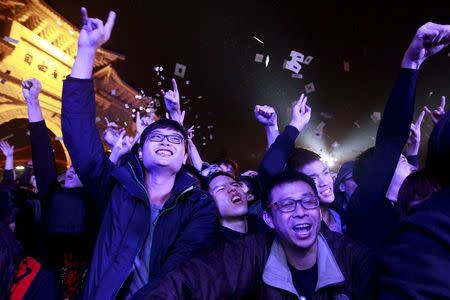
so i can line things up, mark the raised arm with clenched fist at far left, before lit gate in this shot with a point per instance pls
(41, 146)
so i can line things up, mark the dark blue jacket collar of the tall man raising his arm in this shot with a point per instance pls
(131, 177)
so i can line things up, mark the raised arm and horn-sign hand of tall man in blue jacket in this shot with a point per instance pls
(78, 109)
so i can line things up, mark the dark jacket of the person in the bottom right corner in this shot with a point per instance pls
(416, 262)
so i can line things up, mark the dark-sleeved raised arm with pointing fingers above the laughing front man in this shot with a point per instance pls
(278, 153)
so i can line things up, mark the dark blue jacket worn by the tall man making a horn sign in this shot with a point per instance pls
(186, 224)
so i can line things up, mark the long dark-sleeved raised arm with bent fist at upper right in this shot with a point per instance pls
(392, 135)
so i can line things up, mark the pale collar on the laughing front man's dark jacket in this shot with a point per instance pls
(277, 274)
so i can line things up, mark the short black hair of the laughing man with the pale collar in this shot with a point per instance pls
(284, 177)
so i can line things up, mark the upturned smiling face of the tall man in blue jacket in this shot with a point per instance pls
(166, 153)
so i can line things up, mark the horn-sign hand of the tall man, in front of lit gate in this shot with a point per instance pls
(94, 33)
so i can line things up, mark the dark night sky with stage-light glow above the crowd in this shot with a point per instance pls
(215, 41)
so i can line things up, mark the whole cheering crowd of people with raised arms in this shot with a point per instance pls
(149, 219)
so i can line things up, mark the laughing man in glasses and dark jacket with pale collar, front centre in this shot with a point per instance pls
(302, 261)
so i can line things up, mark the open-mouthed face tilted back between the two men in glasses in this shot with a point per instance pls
(229, 197)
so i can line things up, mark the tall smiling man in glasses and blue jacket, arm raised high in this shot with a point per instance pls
(154, 216)
